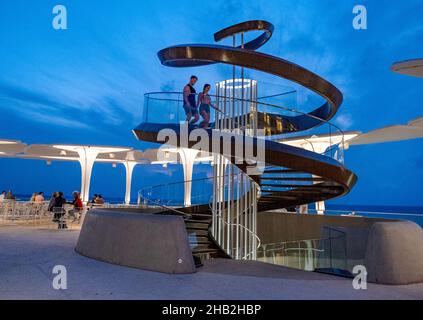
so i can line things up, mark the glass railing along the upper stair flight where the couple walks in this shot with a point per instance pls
(274, 121)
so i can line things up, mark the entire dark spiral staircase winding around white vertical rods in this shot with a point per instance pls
(291, 176)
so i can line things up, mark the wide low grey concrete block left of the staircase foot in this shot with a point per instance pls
(144, 241)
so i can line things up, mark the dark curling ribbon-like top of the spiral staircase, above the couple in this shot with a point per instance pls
(194, 55)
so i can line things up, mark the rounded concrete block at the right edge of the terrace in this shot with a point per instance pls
(394, 254)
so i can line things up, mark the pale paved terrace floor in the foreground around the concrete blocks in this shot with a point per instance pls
(28, 255)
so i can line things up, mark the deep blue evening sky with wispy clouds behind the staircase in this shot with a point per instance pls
(85, 85)
